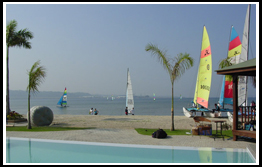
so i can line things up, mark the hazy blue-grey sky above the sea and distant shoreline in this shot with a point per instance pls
(88, 47)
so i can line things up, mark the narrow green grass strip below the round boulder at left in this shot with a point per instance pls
(42, 128)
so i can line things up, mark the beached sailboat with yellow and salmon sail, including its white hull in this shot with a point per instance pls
(203, 82)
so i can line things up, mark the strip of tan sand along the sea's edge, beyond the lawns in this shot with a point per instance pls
(125, 122)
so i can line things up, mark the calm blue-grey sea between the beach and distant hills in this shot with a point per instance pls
(80, 104)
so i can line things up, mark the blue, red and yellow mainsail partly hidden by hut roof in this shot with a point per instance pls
(234, 51)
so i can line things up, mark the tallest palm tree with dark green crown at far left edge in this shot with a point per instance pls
(14, 38)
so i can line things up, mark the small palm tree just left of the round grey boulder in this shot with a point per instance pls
(36, 76)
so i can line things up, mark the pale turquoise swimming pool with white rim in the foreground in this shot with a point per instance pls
(25, 150)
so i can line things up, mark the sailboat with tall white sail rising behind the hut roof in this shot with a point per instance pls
(242, 83)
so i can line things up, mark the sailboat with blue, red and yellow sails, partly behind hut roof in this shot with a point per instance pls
(226, 95)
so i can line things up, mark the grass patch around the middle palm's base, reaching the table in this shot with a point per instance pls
(226, 133)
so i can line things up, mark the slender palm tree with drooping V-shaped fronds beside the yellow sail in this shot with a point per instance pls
(175, 67)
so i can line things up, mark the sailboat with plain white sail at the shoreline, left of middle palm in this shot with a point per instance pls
(129, 93)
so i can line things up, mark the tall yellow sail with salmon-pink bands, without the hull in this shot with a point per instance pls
(204, 75)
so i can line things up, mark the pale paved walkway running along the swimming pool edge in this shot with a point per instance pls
(130, 136)
